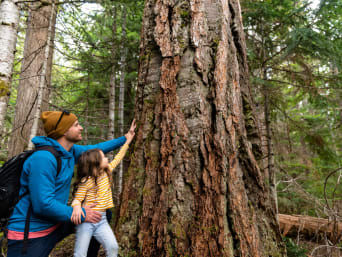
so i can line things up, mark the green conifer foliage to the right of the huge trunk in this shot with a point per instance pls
(295, 55)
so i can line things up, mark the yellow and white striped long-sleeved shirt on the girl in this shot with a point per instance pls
(100, 193)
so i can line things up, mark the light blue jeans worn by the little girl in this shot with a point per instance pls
(103, 234)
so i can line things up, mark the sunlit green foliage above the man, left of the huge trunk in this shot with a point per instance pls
(89, 53)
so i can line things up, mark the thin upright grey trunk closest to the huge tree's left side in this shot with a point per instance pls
(122, 91)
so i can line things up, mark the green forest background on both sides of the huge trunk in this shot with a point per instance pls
(294, 51)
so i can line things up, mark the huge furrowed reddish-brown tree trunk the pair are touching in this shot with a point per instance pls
(194, 187)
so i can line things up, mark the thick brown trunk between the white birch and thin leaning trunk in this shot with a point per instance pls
(31, 71)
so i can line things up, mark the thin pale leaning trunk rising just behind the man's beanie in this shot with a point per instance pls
(42, 82)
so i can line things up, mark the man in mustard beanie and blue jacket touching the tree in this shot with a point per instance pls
(48, 193)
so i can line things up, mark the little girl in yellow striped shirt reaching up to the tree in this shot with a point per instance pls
(92, 188)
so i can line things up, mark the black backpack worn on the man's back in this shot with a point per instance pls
(10, 174)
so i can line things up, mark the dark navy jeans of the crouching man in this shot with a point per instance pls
(42, 246)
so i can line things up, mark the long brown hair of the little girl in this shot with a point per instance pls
(89, 165)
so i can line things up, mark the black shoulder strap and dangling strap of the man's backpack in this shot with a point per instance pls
(52, 150)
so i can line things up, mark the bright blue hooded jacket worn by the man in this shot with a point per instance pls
(47, 193)
